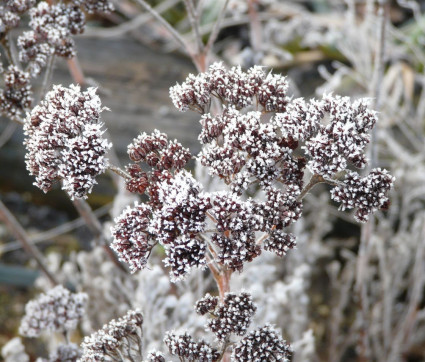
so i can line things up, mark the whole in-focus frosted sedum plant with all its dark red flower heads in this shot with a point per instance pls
(267, 149)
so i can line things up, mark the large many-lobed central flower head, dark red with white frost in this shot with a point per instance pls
(270, 148)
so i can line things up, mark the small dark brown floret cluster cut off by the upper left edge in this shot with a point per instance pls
(16, 97)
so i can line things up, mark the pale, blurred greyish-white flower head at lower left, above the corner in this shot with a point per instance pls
(56, 311)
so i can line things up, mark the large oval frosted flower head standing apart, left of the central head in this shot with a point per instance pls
(65, 140)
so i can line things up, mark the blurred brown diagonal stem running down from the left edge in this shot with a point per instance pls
(19, 232)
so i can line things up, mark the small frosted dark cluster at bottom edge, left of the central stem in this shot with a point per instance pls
(185, 347)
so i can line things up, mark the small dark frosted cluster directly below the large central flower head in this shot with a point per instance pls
(232, 316)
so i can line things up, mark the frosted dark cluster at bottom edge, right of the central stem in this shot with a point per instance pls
(263, 344)
